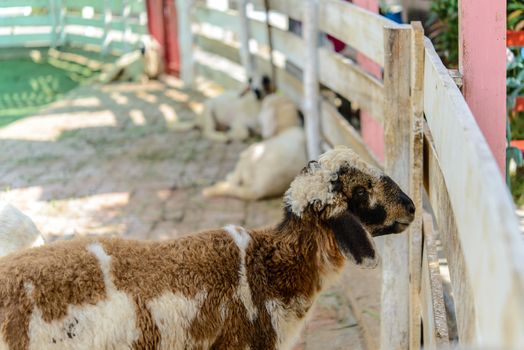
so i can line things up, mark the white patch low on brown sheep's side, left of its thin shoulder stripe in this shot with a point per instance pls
(173, 314)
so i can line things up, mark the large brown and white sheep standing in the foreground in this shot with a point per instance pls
(227, 288)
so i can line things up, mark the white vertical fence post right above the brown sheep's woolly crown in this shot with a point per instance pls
(311, 95)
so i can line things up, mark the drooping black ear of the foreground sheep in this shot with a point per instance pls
(354, 241)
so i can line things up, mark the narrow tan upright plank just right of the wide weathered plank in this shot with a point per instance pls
(415, 186)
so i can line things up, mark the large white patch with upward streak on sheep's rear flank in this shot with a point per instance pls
(108, 323)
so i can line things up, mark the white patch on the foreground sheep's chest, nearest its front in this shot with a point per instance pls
(285, 322)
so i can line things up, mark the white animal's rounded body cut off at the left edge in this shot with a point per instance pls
(17, 230)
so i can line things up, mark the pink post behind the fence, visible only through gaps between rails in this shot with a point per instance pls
(371, 130)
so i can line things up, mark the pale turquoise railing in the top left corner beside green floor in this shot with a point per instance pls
(105, 25)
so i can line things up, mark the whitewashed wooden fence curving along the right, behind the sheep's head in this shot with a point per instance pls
(433, 146)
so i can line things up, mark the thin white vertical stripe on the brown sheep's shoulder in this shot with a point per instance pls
(242, 239)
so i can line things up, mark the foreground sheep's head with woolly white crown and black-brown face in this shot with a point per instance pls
(355, 200)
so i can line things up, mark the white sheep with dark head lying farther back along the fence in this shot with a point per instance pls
(232, 115)
